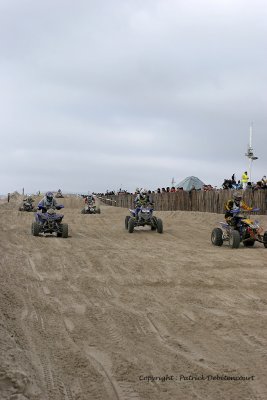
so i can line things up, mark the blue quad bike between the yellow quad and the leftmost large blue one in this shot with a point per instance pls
(143, 216)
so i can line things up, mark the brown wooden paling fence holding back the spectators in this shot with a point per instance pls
(211, 201)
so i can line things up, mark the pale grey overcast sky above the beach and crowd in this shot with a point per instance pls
(102, 94)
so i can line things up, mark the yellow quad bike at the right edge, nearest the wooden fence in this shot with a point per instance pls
(244, 231)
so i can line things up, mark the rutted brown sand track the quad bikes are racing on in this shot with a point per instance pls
(95, 315)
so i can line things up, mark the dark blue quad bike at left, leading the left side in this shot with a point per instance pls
(49, 221)
